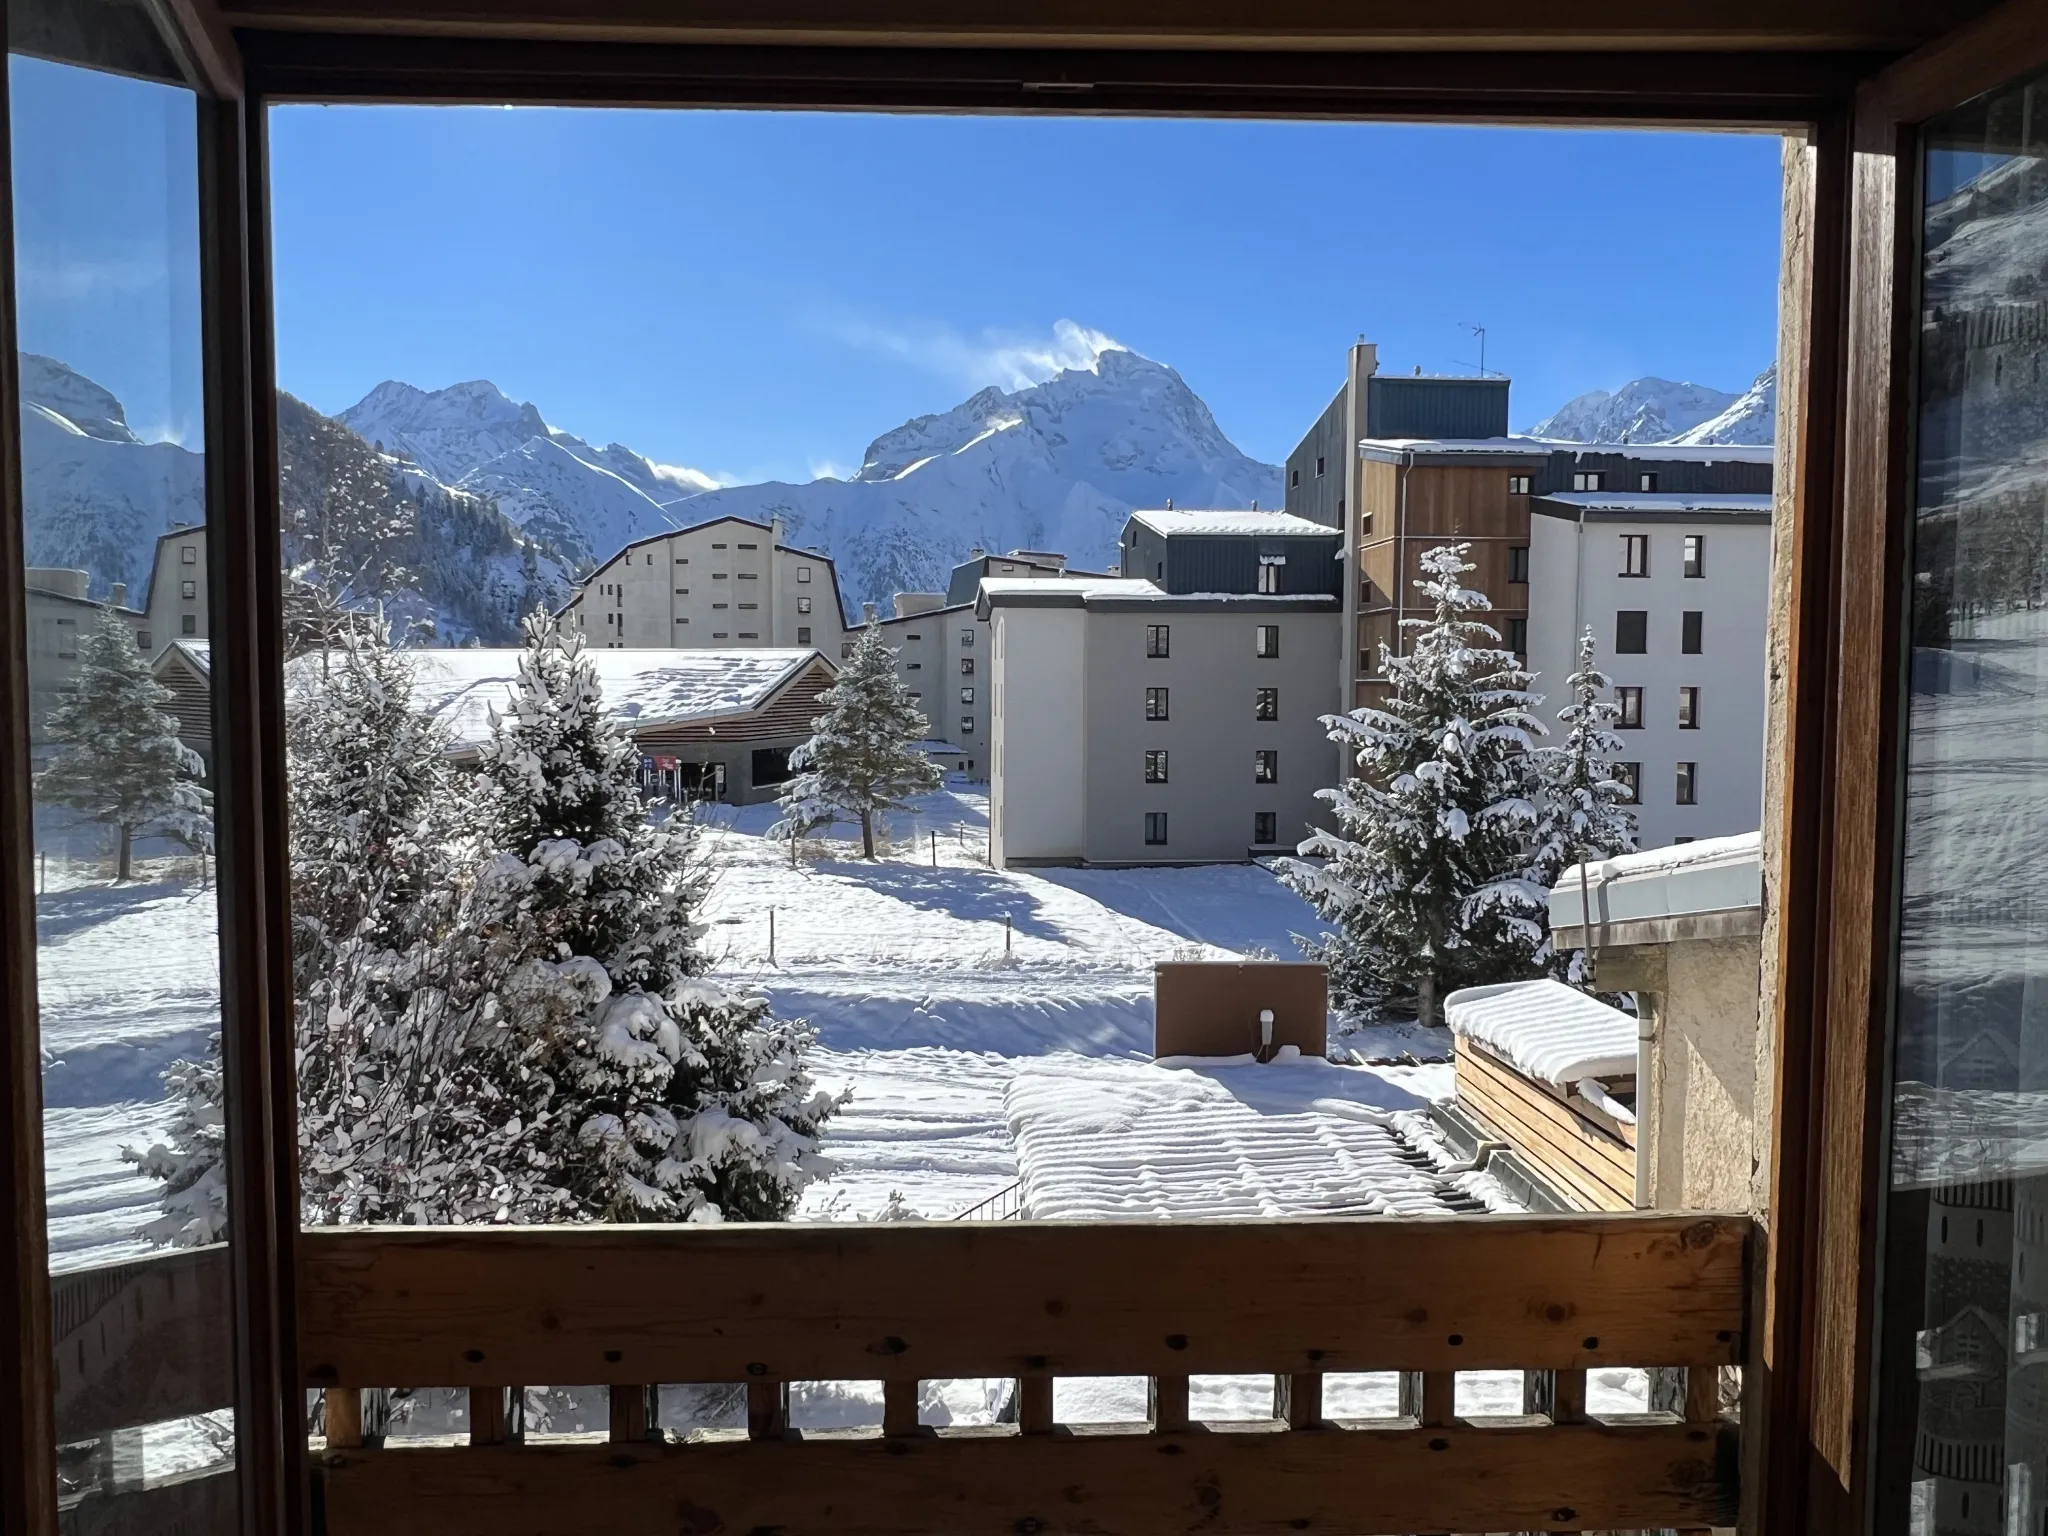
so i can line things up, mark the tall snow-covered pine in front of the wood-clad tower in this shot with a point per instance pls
(1426, 878)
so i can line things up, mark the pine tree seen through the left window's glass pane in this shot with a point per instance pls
(120, 761)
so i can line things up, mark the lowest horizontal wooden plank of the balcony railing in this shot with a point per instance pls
(1330, 1484)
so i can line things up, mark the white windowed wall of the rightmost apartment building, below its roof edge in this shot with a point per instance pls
(1576, 583)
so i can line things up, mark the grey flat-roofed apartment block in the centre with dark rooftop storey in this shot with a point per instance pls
(1136, 724)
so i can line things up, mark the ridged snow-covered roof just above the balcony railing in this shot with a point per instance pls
(1224, 1138)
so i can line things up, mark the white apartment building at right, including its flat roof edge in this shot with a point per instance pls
(1676, 591)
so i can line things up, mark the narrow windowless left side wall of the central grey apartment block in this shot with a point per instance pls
(1037, 810)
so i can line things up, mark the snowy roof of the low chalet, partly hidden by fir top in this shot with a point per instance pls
(642, 687)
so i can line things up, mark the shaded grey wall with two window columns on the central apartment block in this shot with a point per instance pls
(1211, 677)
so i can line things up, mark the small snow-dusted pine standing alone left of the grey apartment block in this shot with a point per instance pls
(863, 755)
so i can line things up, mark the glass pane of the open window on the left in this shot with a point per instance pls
(128, 959)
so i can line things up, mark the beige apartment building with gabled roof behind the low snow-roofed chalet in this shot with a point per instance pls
(722, 585)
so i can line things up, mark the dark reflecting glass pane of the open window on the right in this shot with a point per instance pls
(1963, 1363)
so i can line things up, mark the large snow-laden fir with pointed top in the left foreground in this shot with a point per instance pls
(673, 1101)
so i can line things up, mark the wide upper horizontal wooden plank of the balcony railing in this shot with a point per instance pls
(480, 1308)
